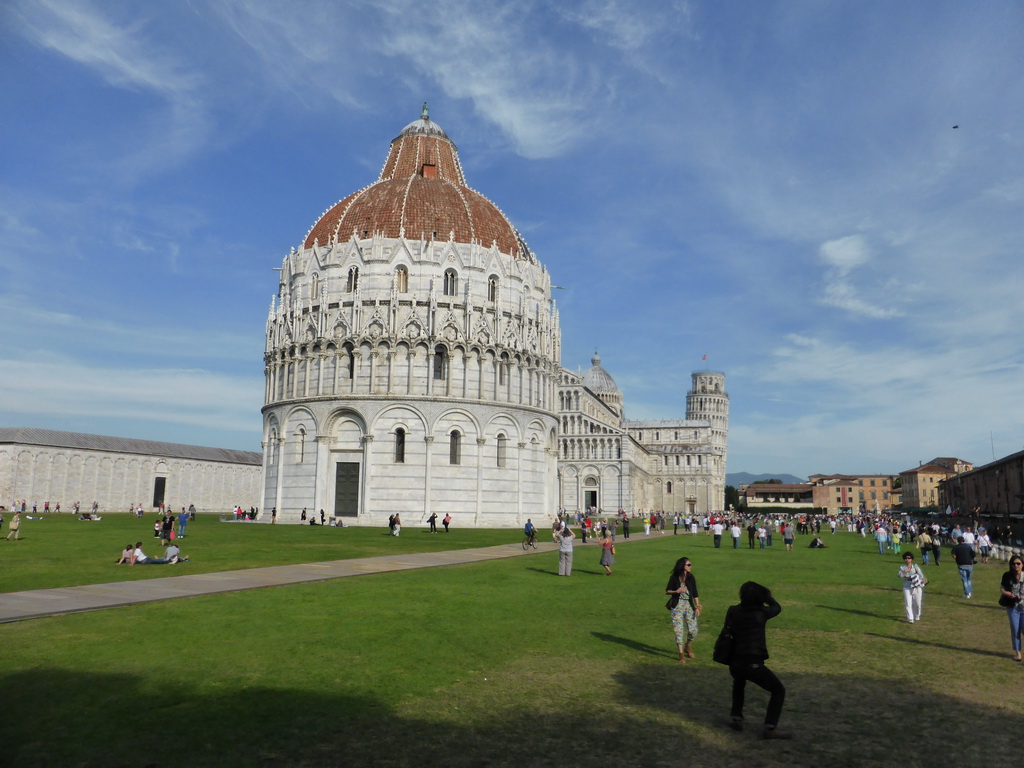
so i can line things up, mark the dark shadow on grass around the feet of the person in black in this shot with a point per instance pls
(826, 713)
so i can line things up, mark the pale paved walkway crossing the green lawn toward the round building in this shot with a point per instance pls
(16, 607)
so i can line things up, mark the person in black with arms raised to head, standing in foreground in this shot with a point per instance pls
(747, 623)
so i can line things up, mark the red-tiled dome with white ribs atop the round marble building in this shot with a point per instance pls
(421, 195)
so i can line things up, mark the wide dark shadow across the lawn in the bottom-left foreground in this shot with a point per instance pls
(116, 720)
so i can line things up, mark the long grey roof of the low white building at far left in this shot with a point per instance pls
(57, 439)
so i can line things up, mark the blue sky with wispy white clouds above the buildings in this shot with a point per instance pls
(778, 186)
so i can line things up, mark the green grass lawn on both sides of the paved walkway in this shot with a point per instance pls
(504, 664)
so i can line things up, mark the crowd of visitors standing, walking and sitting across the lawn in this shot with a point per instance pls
(743, 634)
